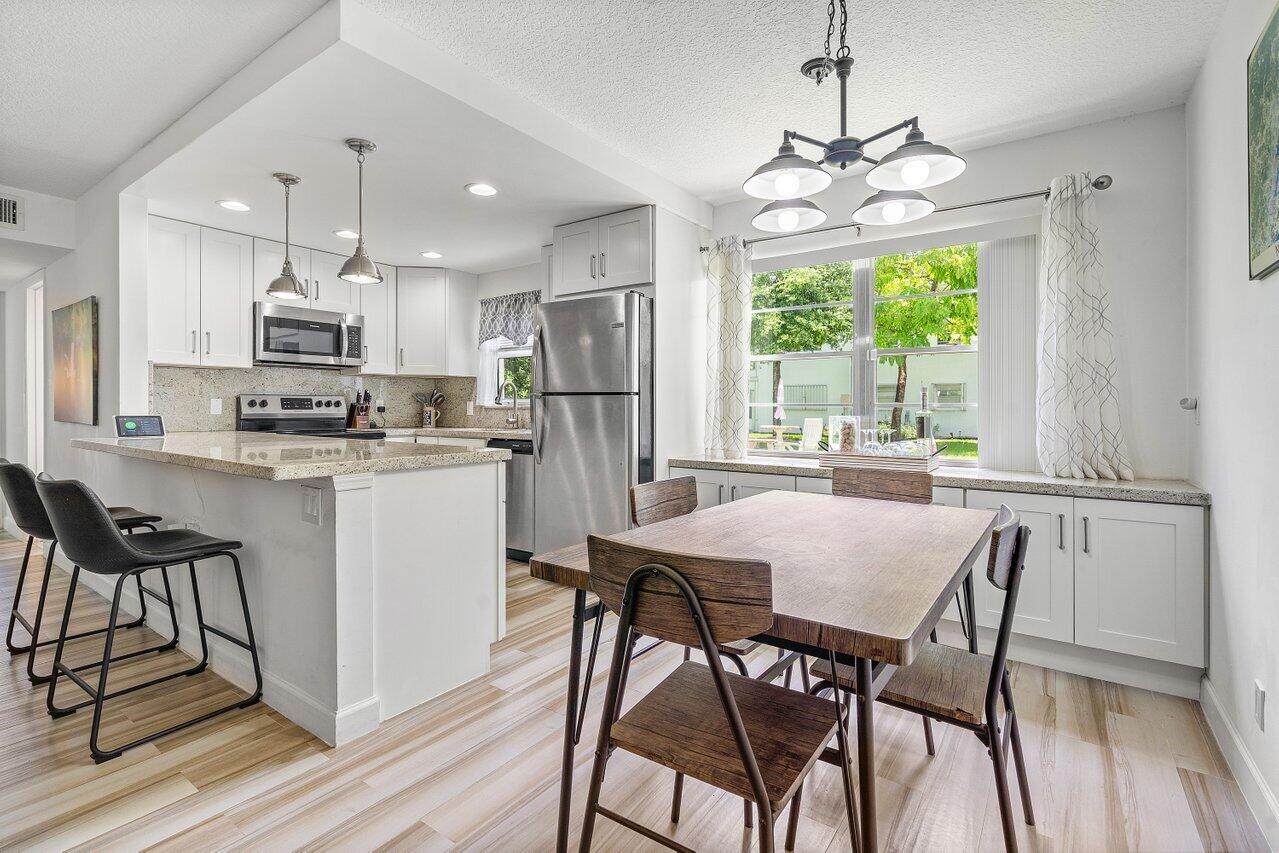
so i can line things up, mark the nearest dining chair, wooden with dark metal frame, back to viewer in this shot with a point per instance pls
(748, 737)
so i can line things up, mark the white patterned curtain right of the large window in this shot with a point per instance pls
(1078, 432)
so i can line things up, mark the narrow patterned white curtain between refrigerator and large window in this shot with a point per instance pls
(728, 338)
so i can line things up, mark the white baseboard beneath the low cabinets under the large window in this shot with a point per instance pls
(1156, 676)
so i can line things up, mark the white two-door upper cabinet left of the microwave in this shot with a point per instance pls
(200, 296)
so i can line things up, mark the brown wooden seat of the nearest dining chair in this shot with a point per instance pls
(681, 724)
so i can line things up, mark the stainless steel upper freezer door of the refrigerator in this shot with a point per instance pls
(588, 346)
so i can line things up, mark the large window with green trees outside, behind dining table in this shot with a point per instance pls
(875, 338)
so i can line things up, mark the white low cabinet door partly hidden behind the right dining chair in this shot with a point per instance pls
(1046, 603)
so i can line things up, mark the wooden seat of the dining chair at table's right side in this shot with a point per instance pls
(943, 682)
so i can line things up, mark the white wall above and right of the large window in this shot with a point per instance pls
(1144, 227)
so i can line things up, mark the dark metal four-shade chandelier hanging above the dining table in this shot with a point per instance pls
(900, 176)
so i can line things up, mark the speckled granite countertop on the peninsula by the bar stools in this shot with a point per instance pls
(288, 457)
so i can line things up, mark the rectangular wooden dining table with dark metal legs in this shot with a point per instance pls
(859, 581)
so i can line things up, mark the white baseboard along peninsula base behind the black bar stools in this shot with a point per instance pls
(332, 726)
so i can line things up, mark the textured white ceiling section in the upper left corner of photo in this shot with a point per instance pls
(89, 82)
